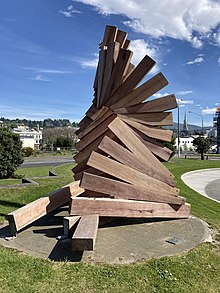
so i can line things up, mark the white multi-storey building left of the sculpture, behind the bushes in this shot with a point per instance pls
(29, 137)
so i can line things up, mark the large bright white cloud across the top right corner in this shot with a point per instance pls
(191, 20)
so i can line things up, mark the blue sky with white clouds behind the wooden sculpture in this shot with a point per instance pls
(48, 53)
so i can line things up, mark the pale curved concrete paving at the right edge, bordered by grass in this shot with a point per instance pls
(205, 181)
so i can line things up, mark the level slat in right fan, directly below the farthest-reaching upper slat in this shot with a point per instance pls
(152, 119)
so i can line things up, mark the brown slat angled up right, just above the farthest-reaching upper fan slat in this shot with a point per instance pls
(141, 93)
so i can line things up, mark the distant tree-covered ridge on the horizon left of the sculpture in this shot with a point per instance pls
(46, 123)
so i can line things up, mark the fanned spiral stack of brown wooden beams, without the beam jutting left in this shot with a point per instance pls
(120, 149)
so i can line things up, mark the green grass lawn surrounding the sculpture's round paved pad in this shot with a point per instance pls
(196, 271)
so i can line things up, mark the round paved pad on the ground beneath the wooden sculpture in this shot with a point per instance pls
(124, 241)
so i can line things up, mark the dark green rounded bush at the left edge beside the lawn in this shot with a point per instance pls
(10, 153)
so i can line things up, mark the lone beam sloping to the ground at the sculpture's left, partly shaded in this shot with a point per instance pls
(40, 207)
